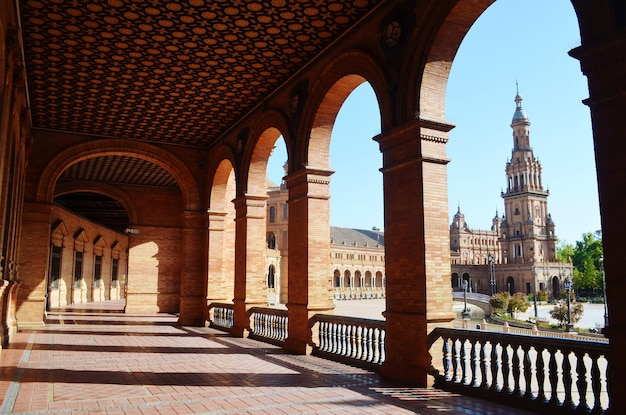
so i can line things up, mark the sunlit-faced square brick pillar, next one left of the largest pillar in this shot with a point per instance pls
(310, 289)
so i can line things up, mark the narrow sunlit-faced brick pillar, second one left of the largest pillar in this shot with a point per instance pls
(250, 286)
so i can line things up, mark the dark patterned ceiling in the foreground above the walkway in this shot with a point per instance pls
(172, 72)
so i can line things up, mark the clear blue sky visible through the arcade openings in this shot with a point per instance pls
(524, 41)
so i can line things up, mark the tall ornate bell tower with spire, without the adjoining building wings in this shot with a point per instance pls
(527, 230)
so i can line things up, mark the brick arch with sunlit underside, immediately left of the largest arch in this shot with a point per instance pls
(330, 91)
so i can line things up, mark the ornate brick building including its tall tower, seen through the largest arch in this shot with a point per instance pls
(518, 252)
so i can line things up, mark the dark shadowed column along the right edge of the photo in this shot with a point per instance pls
(603, 64)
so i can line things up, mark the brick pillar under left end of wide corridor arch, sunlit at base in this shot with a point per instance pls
(33, 270)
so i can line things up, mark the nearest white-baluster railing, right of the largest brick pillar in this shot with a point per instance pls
(537, 372)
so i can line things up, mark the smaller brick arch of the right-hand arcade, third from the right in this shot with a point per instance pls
(266, 132)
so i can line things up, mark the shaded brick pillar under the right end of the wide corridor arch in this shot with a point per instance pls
(193, 282)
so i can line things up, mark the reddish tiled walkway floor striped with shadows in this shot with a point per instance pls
(94, 360)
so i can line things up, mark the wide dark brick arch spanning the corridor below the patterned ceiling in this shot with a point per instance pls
(156, 155)
